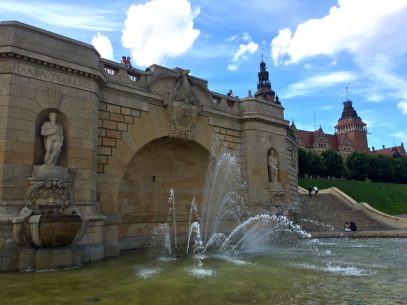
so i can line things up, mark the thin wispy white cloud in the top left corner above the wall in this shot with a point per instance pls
(63, 15)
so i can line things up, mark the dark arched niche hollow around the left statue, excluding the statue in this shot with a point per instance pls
(39, 148)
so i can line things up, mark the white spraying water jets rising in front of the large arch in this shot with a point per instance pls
(226, 225)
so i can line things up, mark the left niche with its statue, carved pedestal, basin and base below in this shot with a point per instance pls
(49, 222)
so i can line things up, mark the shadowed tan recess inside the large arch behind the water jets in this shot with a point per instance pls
(160, 165)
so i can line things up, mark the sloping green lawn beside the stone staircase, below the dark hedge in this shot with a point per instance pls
(389, 198)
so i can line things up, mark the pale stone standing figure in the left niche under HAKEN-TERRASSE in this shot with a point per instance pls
(53, 139)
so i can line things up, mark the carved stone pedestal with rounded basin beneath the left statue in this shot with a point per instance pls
(49, 219)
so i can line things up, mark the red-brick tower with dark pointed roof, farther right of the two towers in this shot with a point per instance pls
(351, 128)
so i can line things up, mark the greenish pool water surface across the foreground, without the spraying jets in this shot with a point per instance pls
(337, 271)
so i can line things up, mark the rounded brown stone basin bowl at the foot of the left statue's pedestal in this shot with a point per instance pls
(50, 231)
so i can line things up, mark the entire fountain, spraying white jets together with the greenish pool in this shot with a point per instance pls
(234, 258)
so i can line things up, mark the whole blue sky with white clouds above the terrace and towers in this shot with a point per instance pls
(313, 49)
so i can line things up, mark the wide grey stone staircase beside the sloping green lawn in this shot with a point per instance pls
(328, 212)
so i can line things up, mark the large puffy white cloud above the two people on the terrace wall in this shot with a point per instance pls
(159, 29)
